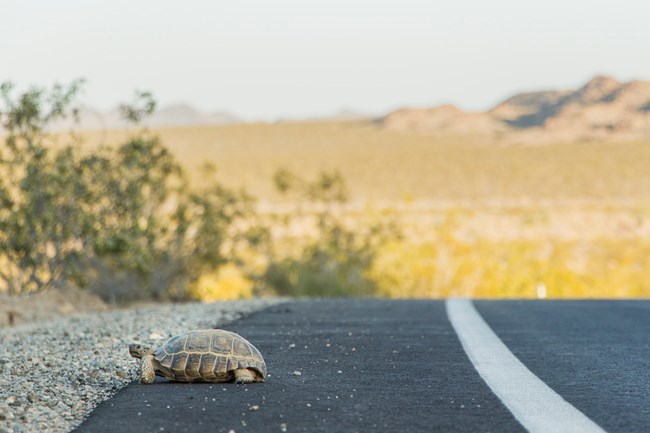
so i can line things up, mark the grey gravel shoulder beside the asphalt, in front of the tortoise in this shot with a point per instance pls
(53, 374)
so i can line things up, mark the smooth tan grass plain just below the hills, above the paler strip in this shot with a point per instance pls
(382, 165)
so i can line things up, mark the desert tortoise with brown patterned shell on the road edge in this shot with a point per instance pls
(210, 355)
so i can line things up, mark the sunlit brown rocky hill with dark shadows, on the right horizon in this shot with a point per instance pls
(602, 108)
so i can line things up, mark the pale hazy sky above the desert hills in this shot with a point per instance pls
(277, 58)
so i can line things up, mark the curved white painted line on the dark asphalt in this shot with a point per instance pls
(536, 406)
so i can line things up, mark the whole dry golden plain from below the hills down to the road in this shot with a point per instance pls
(482, 219)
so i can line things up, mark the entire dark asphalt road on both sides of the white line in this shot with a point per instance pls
(380, 365)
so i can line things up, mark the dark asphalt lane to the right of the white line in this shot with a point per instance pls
(595, 354)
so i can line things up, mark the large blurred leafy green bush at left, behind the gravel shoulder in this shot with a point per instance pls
(122, 221)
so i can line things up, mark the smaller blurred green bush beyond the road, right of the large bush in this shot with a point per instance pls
(336, 258)
